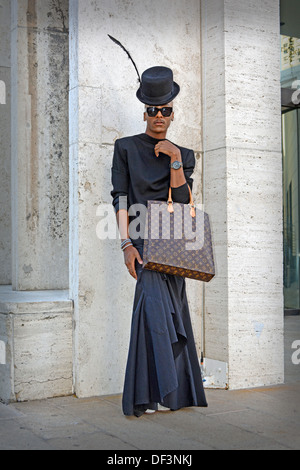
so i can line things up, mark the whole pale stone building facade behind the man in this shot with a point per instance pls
(67, 93)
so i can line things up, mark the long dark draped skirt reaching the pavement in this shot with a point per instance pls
(162, 365)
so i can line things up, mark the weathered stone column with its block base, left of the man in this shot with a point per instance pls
(35, 319)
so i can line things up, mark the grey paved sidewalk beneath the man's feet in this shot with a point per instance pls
(256, 419)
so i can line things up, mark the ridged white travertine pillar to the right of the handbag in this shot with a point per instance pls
(243, 190)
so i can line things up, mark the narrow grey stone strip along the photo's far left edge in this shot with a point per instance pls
(5, 170)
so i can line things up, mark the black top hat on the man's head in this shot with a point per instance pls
(157, 86)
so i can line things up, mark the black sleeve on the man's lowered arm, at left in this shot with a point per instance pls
(119, 177)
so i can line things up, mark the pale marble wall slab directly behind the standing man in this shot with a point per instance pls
(103, 107)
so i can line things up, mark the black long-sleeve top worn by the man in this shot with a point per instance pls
(141, 176)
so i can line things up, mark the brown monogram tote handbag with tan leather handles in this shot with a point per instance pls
(178, 240)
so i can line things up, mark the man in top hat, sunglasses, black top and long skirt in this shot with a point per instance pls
(162, 367)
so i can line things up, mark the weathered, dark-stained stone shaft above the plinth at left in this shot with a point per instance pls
(40, 144)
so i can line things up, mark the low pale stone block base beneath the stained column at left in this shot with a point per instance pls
(36, 333)
